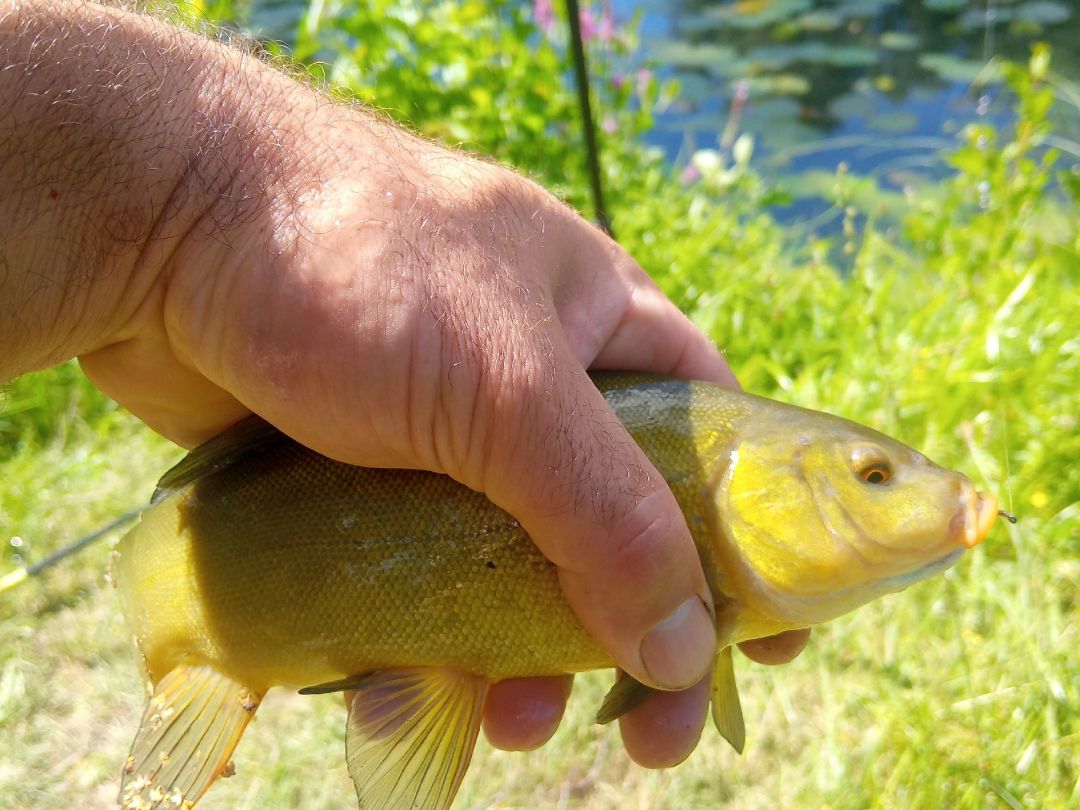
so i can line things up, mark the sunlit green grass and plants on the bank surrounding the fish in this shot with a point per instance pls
(954, 329)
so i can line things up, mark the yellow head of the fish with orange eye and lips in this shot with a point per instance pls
(821, 516)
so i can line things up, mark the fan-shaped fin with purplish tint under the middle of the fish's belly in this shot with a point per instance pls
(411, 735)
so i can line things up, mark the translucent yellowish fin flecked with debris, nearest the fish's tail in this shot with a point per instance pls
(188, 733)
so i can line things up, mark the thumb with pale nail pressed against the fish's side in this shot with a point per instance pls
(598, 508)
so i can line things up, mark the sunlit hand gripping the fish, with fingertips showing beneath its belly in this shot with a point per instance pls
(445, 325)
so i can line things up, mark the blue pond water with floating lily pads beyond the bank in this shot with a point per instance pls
(882, 86)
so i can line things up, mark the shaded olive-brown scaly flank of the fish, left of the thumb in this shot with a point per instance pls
(389, 590)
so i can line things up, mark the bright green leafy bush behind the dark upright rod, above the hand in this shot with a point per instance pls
(482, 75)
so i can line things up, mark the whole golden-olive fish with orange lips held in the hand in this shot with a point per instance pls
(262, 564)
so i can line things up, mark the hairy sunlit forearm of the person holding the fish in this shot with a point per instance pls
(124, 140)
